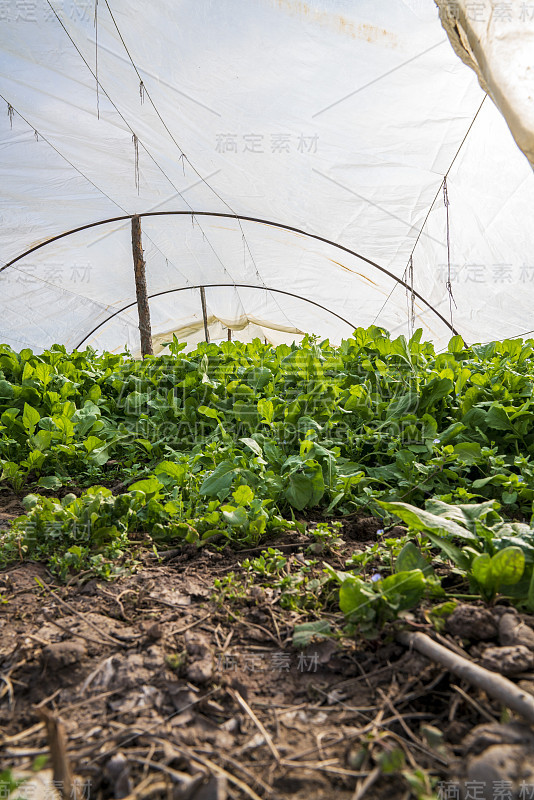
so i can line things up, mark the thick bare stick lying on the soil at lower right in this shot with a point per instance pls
(494, 684)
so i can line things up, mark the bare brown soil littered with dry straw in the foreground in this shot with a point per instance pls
(167, 690)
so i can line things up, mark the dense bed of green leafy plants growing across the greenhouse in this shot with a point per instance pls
(228, 443)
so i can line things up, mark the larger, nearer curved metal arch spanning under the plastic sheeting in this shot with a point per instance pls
(243, 218)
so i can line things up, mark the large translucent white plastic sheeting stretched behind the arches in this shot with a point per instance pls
(335, 118)
